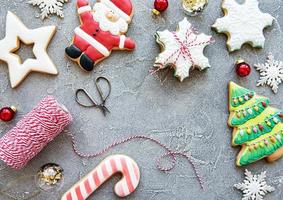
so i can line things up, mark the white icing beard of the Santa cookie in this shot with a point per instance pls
(115, 28)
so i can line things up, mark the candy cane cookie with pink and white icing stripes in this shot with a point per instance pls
(107, 168)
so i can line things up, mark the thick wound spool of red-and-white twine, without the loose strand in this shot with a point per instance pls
(33, 132)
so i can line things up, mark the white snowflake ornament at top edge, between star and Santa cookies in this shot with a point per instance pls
(49, 7)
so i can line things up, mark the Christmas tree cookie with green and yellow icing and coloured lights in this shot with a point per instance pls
(258, 128)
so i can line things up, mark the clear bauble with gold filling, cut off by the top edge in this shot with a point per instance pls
(194, 7)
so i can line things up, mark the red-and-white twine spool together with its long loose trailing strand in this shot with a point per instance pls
(46, 121)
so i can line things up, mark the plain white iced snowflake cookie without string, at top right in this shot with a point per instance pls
(243, 23)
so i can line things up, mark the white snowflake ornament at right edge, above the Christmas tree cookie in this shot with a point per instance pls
(271, 73)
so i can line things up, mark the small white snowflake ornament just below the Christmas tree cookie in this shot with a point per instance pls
(254, 187)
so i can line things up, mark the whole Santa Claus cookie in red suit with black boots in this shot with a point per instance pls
(102, 30)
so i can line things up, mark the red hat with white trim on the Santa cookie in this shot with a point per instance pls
(123, 8)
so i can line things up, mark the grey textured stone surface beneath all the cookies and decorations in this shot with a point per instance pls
(189, 116)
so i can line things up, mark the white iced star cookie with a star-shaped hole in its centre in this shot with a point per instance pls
(16, 31)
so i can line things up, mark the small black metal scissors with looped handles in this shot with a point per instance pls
(103, 98)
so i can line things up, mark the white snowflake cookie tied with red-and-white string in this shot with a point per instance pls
(182, 50)
